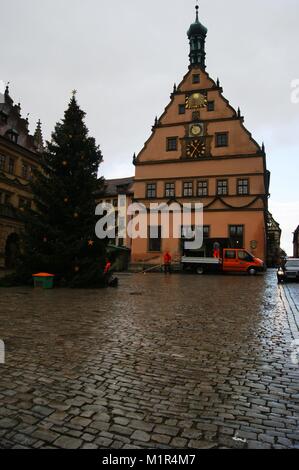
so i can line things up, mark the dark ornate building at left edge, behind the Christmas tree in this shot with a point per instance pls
(19, 156)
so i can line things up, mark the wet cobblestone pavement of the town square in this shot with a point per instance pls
(162, 361)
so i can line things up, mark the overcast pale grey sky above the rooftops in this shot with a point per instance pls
(124, 56)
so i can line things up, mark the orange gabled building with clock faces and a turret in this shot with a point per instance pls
(200, 151)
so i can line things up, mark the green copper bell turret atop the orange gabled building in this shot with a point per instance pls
(197, 34)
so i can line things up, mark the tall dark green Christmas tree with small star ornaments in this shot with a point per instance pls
(59, 236)
